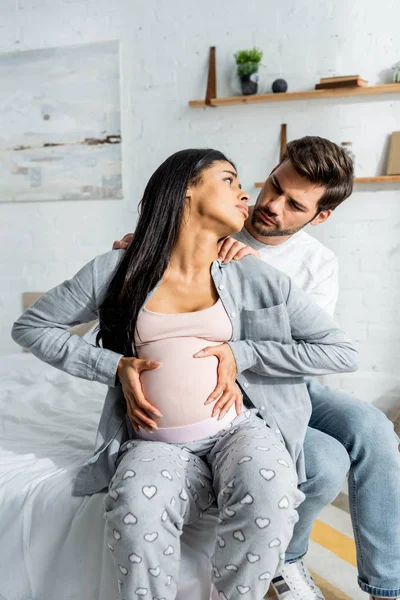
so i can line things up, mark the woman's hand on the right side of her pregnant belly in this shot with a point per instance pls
(226, 384)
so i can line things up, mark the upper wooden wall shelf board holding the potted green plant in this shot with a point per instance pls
(390, 88)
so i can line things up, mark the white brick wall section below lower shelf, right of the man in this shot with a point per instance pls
(364, 233)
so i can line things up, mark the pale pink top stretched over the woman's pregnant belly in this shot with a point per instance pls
(179, 388)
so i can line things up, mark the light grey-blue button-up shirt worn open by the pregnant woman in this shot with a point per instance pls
(279, 336)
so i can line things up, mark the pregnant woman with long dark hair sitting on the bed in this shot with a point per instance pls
(173, 438)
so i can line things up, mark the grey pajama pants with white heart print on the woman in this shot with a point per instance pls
(158, 488)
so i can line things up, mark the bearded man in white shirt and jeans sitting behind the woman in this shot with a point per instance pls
(312, 179)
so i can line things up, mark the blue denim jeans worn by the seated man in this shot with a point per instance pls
(346, 434)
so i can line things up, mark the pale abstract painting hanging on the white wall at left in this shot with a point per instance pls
(60, 134)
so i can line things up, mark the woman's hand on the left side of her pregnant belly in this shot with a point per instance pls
(140, 411)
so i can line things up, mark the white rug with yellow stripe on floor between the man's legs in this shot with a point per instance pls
(331, 556)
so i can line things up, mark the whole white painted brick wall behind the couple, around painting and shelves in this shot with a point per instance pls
(164, 53)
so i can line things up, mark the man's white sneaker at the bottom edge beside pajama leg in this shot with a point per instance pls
(294, 582)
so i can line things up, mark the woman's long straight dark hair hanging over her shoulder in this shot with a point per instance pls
(145, 261)
